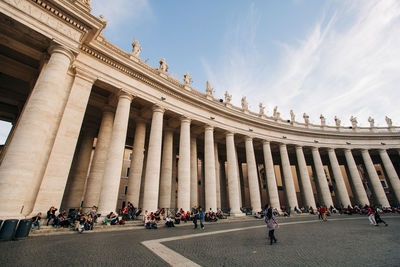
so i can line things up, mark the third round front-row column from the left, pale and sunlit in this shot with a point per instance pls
(152, 175)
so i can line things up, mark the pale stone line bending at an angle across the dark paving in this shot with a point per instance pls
(175, 259)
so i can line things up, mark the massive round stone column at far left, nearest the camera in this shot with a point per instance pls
(19, 168)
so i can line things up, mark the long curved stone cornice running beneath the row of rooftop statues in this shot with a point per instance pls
(171, 87)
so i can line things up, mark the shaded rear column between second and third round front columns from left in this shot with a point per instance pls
(136, 167)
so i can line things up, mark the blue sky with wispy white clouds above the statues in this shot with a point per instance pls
(320, 57)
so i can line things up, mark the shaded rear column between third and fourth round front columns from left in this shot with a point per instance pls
(166, 169)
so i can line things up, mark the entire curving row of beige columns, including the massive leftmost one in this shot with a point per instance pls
(48, 173)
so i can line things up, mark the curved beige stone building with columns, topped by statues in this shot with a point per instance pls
(67, 90)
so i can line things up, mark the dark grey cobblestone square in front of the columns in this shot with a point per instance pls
(302, 241)
